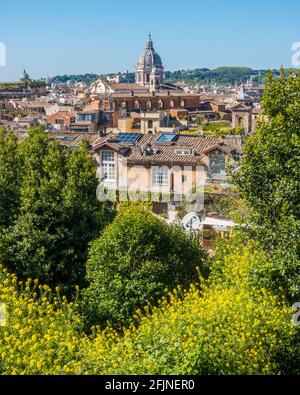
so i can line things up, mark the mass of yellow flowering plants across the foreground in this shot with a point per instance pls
(226, 326)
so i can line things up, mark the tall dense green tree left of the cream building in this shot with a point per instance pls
(59, 213)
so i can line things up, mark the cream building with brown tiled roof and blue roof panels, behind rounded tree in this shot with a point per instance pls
(169, 164)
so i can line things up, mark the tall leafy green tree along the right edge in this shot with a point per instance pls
(269, 180)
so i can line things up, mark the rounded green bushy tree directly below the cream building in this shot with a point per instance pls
(133, 262)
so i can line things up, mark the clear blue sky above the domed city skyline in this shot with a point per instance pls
(72, 37)
